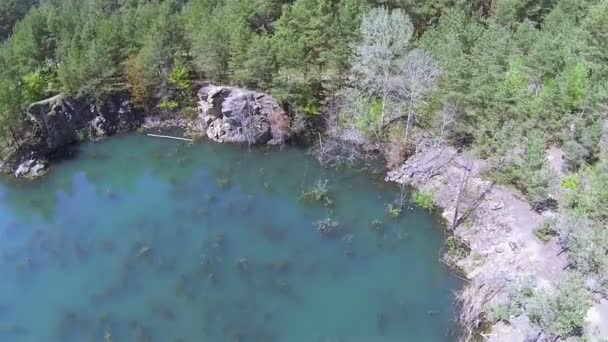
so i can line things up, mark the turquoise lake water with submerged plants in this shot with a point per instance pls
(144, 239)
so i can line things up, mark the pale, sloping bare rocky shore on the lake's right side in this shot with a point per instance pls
(497, 225)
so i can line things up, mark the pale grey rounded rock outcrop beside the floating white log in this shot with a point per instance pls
(235, 115)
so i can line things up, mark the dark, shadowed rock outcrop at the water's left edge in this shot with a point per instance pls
(55, 123)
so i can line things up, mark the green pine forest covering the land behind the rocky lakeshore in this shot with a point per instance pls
(505, 78)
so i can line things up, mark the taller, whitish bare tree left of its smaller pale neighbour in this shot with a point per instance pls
(385, 37)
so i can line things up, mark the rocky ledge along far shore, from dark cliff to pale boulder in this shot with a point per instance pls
(224, 114)
